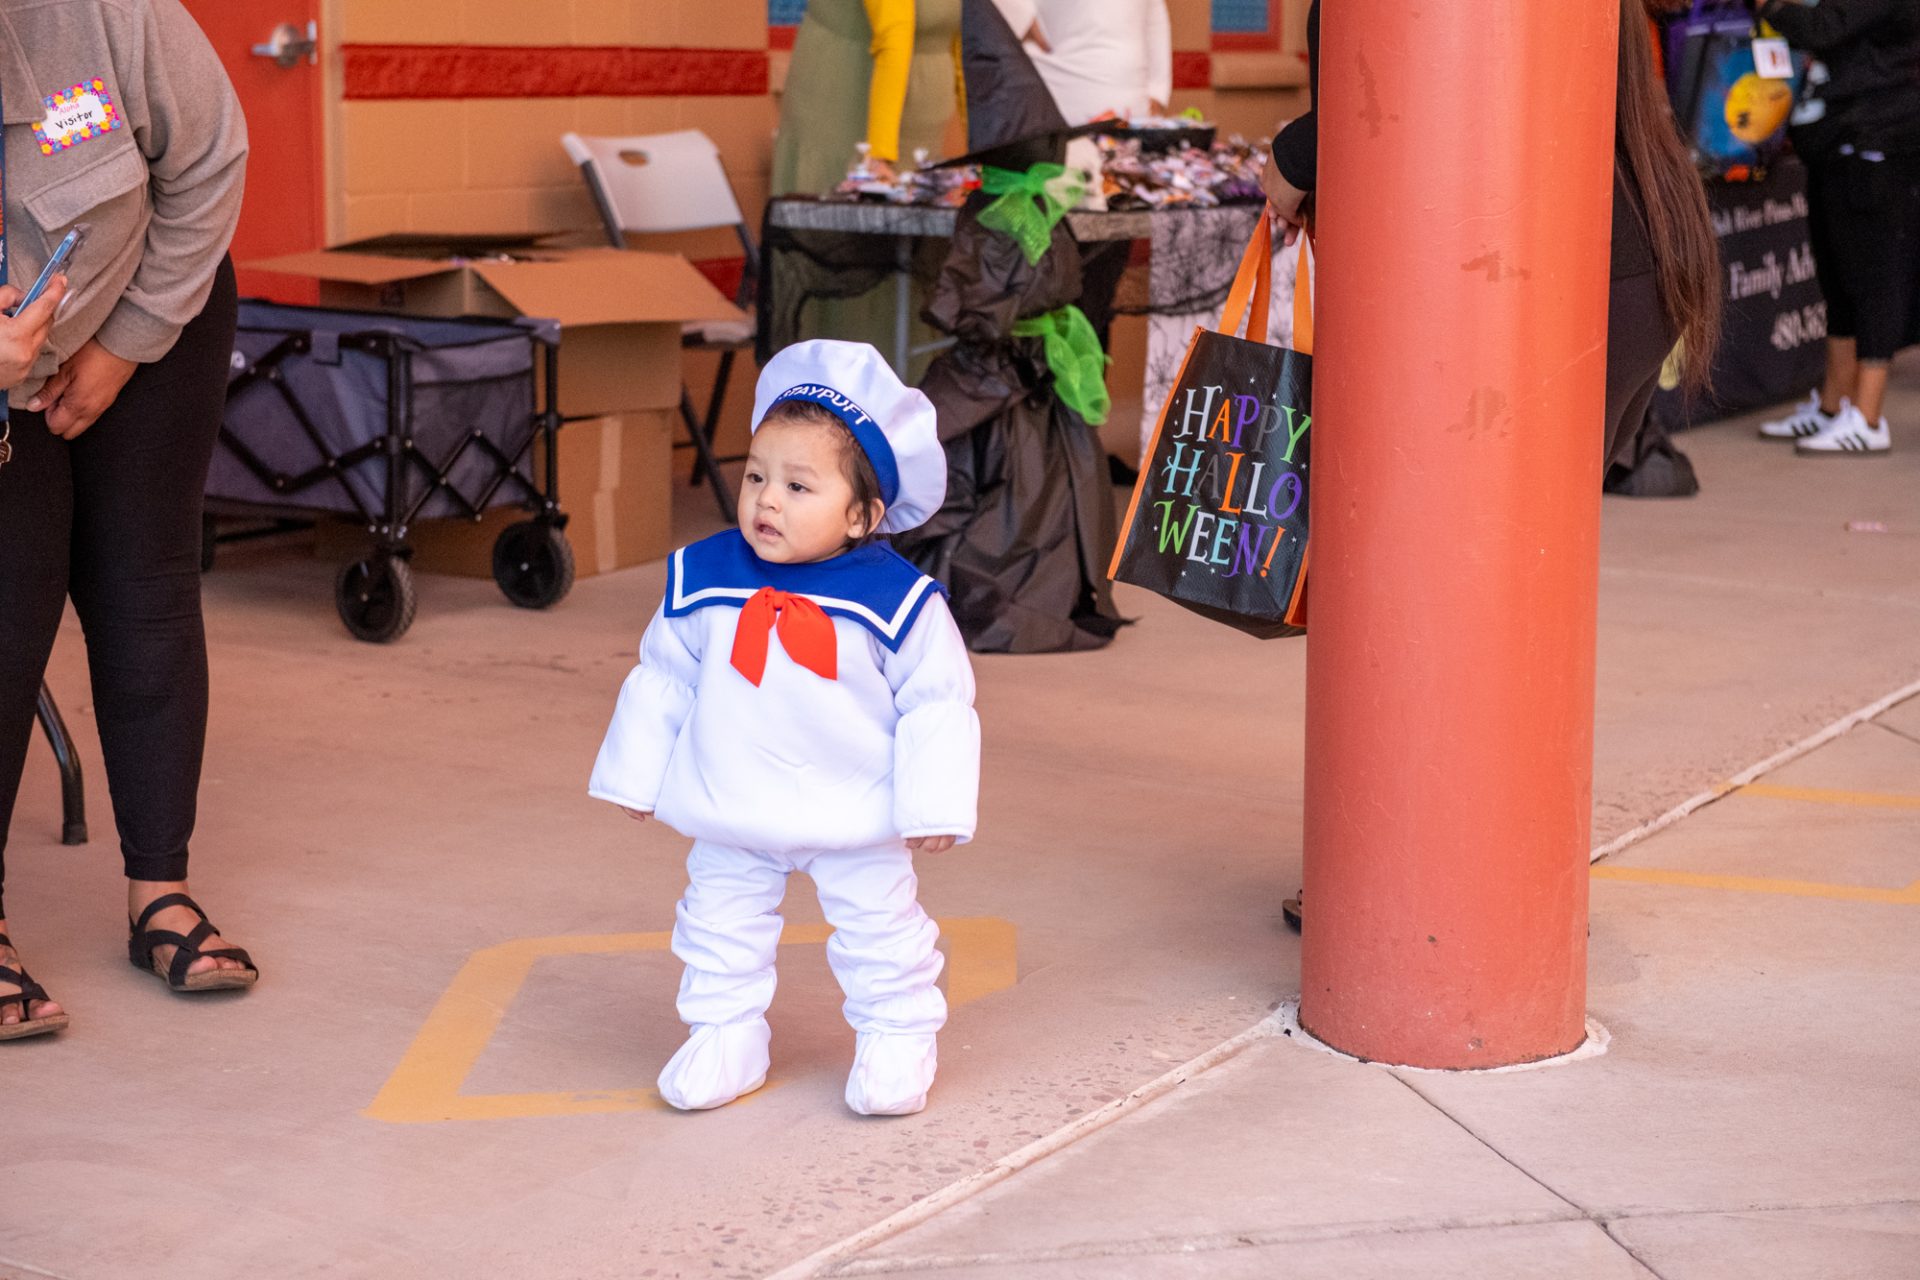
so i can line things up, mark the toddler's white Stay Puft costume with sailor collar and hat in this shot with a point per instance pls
(821, 753)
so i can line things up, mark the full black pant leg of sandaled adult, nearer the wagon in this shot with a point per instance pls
(139, 483)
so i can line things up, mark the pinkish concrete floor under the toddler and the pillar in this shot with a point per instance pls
(446, 1068)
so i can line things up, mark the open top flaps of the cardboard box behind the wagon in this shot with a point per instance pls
(573, 287)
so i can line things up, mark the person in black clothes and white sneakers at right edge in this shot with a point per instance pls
(1860, 133)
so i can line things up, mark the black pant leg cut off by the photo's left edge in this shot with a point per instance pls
(36, 521)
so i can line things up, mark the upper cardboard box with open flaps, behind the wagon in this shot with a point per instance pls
(619, 310)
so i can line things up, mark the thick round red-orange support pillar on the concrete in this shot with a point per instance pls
(1460, 387)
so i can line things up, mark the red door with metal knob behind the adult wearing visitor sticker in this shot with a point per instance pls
(285, 185)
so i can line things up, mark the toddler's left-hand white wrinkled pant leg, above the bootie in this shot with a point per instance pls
(727, 932)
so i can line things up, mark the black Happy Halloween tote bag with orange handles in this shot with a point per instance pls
(1220, 515)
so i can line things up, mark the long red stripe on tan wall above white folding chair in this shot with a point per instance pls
(567, 72)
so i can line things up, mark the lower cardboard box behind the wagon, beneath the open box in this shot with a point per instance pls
(613, 488)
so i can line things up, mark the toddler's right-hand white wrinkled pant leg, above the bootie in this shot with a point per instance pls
(884, 949)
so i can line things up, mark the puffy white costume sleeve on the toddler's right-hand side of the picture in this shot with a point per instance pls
(936, 747)
